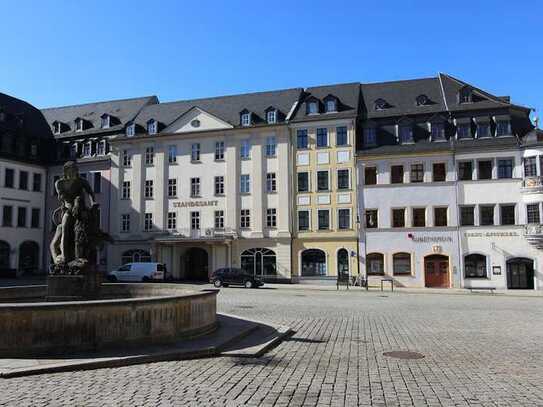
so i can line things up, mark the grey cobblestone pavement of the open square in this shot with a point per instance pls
(480, 350)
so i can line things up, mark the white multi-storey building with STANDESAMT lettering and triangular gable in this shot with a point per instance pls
(205, 184)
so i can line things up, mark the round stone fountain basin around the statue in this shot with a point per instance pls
(125, 315)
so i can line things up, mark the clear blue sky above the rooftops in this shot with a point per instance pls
(68, 52)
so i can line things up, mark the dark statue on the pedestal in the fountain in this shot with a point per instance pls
(77, 232)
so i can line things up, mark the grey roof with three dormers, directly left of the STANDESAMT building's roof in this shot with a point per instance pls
(124, 110)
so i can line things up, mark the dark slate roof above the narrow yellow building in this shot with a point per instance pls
(348, 95)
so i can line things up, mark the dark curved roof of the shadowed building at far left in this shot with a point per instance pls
(34, 124)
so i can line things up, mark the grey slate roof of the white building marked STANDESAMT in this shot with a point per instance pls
(226, 108)
